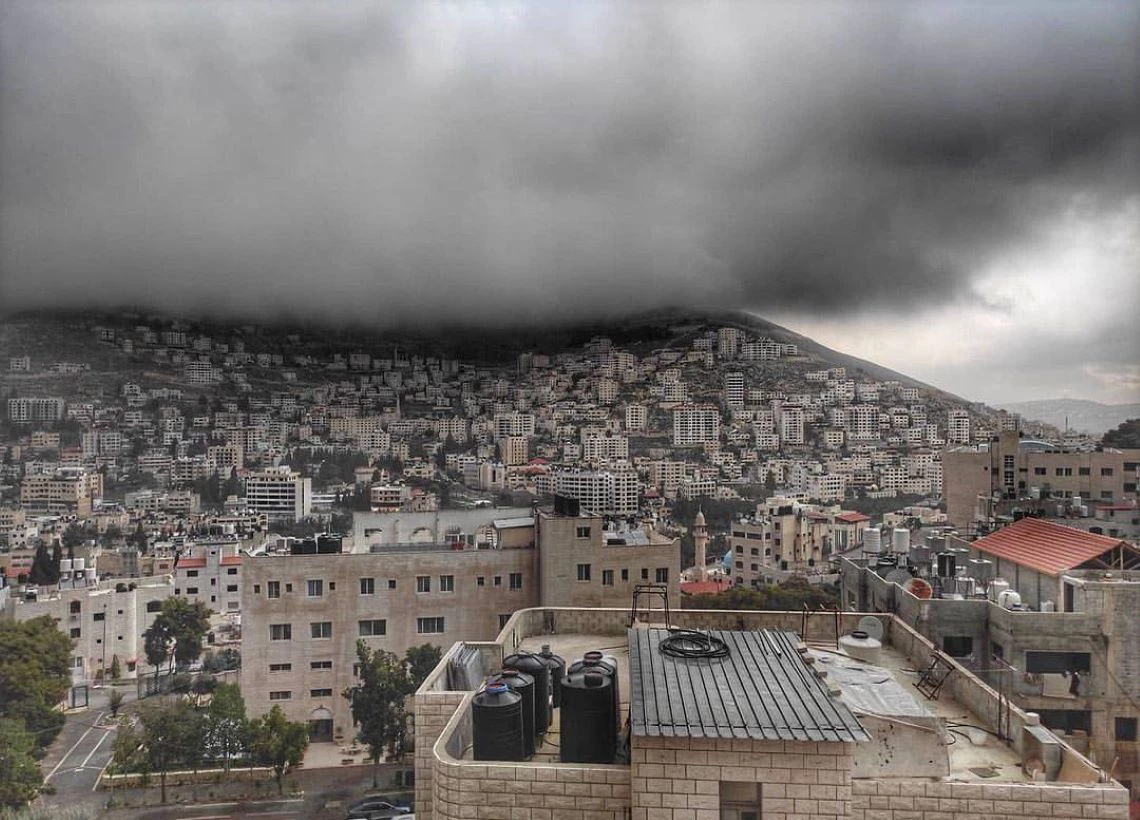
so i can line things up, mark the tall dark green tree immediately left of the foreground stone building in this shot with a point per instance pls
(378, 700)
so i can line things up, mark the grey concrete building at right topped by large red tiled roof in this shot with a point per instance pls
(1064, 647)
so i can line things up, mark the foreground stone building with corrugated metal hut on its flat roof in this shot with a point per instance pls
(778, 726)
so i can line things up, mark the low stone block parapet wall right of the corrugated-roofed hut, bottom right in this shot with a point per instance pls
(923, 800)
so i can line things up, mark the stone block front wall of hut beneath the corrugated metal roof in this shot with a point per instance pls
(680, 778)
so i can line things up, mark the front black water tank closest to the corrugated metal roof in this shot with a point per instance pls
(587, 720)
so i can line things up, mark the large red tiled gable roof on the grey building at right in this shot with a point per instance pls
(1045, 547)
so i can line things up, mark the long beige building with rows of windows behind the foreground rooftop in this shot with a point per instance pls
(424, 578)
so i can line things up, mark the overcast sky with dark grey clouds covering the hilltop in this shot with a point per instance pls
(949, 189)
